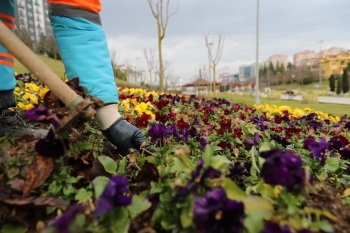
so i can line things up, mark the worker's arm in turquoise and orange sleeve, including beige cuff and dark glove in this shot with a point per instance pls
(83, 47)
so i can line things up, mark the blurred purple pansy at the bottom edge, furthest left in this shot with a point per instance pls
(62, 223)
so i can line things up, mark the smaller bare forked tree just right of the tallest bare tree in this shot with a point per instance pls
(214, 61)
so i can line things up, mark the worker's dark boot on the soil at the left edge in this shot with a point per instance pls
(12, 123)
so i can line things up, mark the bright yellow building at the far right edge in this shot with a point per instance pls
(334, 64)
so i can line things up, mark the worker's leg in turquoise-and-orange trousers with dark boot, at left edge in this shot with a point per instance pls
(10, 122)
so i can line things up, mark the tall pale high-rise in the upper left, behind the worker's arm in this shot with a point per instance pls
(32, 15)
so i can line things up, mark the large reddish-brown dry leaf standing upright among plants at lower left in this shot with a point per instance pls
(39, 171)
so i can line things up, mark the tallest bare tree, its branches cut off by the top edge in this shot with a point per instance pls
(162, 17)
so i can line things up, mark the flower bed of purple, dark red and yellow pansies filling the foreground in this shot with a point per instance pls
(211, 166)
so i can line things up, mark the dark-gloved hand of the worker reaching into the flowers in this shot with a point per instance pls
(124, 136)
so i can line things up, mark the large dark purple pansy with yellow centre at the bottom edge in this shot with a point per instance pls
(214, 212)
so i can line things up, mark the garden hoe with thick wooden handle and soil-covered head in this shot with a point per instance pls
(79, 108)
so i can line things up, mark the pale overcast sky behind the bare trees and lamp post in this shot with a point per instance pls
(286, 27)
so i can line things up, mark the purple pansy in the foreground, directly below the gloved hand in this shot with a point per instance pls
(113, 195)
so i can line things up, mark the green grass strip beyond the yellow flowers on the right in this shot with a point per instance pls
(334, 109)
